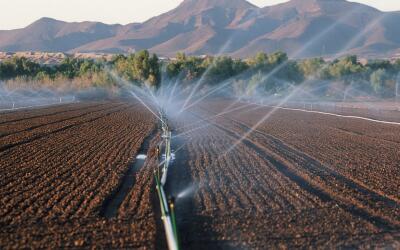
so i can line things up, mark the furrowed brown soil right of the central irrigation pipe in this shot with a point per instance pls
(299, 181)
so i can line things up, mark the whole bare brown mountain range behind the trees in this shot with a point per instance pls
(303, 28)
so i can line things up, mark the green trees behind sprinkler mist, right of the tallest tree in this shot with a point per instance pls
(275, 73)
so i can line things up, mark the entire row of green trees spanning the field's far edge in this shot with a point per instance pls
(272, 72)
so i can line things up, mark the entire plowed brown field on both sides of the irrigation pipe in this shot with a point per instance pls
(244, 177)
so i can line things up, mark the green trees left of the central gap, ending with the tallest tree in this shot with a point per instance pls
(139, 68)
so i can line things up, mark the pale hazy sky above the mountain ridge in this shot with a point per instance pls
(20, 13)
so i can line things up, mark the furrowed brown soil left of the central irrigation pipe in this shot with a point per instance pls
(60, 166)
